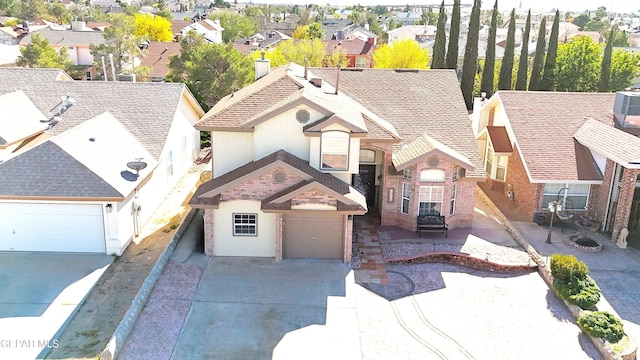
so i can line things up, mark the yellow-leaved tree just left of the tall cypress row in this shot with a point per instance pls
(402, 54)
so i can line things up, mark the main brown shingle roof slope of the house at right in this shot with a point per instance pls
(544, 124)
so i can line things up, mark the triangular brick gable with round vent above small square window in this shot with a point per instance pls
(260, 187)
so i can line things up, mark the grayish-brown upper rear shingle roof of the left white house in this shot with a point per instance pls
(146, 109)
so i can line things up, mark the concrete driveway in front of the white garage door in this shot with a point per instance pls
(39, 293)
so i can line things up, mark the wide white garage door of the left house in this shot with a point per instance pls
(51, 227)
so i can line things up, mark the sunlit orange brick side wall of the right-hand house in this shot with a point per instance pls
(527, 196)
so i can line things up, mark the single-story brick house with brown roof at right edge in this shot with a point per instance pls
(536, 145)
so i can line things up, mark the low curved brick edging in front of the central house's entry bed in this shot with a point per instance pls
(463, 260)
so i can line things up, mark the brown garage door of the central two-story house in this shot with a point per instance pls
(315, 234)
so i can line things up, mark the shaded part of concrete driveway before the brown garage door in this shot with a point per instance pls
(244, 307)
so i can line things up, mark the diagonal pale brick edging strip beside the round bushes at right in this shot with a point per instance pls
(603, 346)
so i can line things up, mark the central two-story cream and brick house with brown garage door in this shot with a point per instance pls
(298, 153)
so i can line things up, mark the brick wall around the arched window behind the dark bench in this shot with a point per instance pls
(465, 197)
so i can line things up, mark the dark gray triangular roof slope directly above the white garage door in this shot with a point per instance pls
(48, 171)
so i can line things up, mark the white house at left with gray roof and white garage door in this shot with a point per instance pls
(85, 164)
